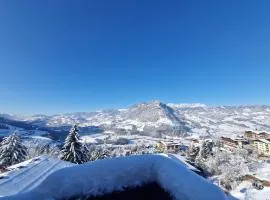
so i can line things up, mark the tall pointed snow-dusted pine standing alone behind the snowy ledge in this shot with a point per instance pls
(73, 149)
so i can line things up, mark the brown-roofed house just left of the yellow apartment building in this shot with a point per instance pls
(232, 144)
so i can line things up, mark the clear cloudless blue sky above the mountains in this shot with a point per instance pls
(65, 56)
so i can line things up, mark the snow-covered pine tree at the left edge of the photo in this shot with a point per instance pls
(12, 151)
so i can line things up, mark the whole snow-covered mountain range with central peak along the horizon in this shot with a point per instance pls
(156, 118)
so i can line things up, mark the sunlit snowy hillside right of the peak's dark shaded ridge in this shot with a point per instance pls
(225, 120)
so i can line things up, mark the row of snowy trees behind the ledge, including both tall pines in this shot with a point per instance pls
(13, 151)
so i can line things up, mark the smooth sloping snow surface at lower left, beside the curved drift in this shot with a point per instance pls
(26, 175)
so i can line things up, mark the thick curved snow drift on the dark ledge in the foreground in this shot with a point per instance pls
(105, 176)
